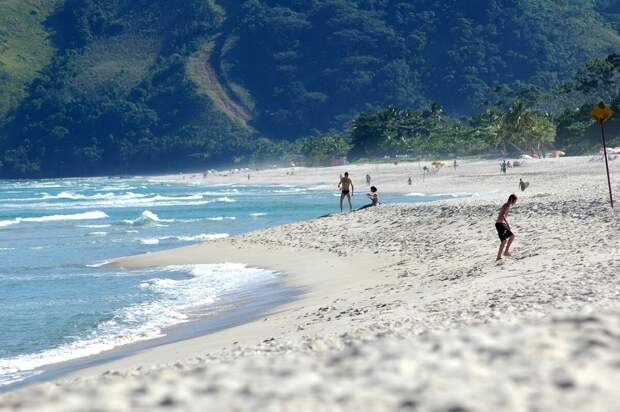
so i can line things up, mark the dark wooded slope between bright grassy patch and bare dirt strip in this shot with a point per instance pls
(117, 98)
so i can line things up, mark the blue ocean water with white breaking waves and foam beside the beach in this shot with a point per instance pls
(58, 302)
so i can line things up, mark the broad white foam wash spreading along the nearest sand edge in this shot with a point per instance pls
(173, 302)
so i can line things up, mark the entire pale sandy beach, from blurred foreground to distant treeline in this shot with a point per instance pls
(401, 306)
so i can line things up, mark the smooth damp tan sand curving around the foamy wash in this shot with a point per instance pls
(249, 332)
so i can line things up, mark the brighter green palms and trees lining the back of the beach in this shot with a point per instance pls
(426, 133)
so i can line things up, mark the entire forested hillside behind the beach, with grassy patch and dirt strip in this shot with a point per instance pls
(122, 86)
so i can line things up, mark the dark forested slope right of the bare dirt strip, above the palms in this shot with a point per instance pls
(317, 64)
